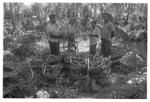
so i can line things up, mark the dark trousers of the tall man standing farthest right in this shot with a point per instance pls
(106, 47)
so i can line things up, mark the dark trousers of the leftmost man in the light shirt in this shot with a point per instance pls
(54, 48)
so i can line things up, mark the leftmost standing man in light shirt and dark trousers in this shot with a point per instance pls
(54, 35)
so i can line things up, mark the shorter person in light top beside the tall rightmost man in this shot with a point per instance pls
(95, 32)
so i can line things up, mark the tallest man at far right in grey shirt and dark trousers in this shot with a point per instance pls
(108, 32)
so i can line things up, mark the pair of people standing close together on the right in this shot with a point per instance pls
(106, 33)
